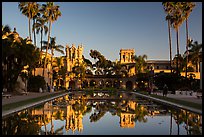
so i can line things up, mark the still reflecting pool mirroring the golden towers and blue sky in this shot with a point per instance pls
(102, 114)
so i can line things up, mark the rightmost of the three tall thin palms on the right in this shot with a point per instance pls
(187, 9)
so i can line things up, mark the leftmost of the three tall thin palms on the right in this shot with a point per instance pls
(168, 10)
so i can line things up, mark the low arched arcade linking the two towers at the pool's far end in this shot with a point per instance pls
(104, 81)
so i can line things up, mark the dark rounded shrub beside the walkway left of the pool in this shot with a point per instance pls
(36, 82)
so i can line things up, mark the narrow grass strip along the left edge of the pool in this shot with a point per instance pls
(28, 101)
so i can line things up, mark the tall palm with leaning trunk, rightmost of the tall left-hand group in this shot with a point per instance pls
(51, 13)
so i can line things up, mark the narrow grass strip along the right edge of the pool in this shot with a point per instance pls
(181, 102)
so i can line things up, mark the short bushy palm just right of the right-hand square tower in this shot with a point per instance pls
(140, 63)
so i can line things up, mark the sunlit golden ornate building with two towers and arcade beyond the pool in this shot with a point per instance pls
(74, 56)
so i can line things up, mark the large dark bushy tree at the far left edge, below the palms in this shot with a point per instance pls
(17, 53)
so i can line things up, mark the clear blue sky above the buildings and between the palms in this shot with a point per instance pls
(108, 27)
